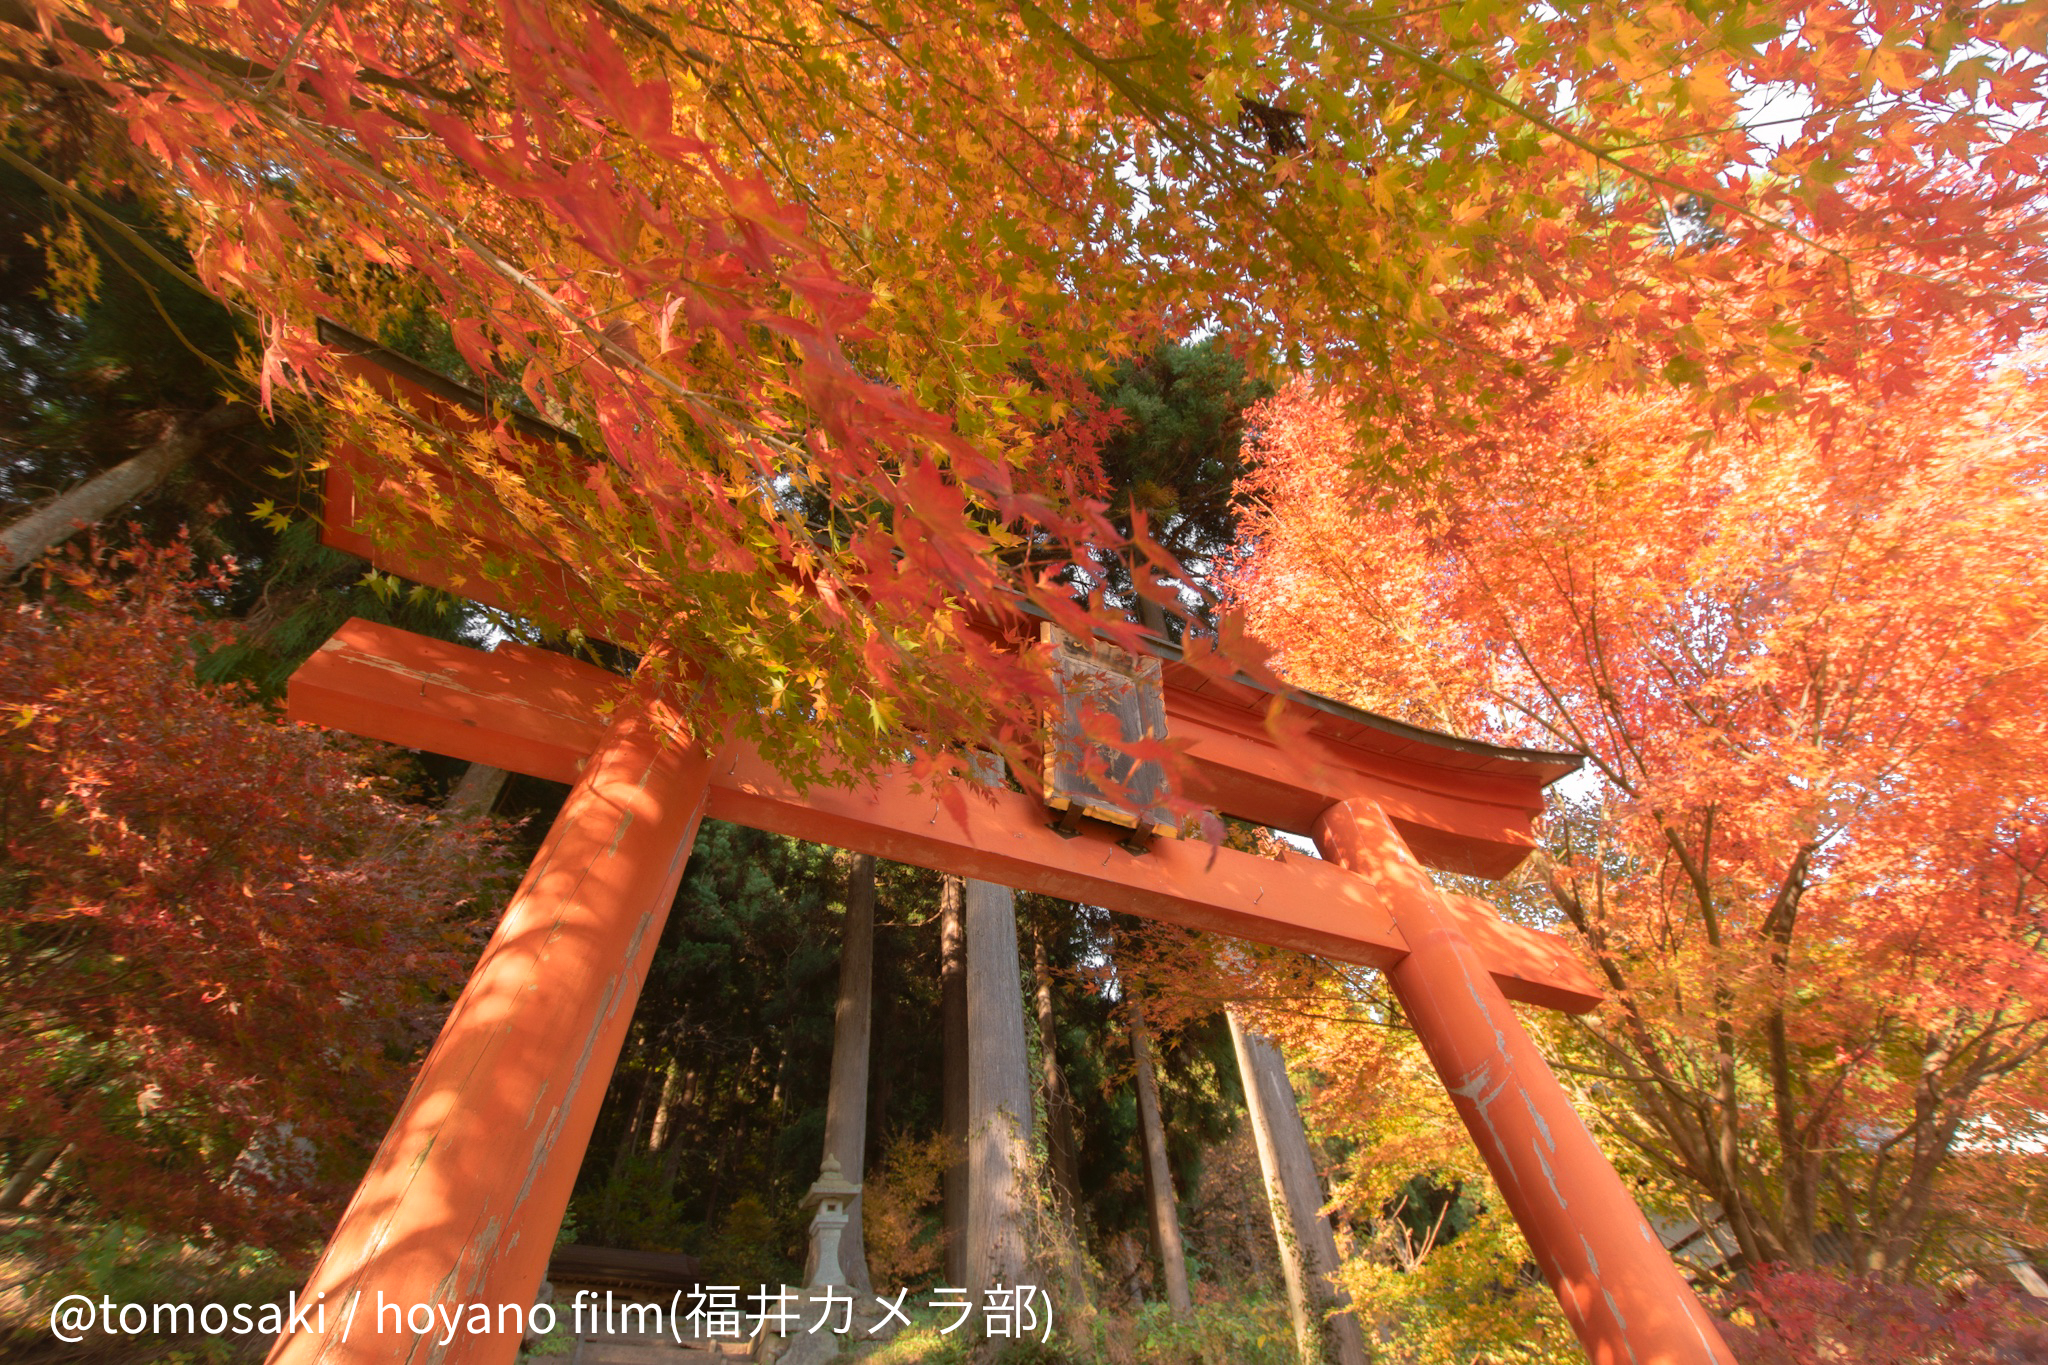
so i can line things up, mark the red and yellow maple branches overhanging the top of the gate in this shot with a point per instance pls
(755, 253)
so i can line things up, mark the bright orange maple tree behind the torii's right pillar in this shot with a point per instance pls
(1805, 664)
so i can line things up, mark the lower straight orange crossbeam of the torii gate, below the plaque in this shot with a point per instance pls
(542, 713)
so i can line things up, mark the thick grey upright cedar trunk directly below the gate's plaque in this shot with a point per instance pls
(998, 1092)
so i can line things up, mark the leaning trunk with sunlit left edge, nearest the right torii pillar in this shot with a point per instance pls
(1293, 1188)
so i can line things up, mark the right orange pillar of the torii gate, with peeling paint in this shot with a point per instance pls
(1611, 1274)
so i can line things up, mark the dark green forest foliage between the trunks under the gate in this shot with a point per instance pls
(740, 1006)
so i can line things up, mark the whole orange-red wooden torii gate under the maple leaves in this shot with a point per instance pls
(468, 1188)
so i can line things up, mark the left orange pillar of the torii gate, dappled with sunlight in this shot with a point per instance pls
(470, 1184)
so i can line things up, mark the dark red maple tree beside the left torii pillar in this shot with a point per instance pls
(218, 973)
